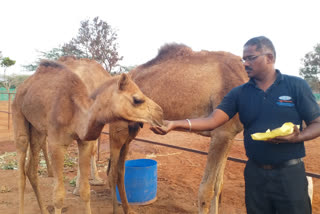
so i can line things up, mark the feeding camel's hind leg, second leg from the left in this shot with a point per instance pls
(36, 141)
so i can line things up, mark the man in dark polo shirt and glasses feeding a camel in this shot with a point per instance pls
(275, 178)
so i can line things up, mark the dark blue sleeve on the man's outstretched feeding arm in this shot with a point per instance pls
(229, 102)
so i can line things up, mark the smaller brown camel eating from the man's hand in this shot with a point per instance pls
(55, 103)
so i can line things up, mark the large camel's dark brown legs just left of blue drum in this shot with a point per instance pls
(121, 134)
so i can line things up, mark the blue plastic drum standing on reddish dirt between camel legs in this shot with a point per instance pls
(140, 180)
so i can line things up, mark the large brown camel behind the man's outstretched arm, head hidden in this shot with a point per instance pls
(185, 84)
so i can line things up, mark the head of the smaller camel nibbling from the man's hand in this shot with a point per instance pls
(129, 103)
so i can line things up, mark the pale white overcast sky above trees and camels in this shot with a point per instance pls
(144, 26)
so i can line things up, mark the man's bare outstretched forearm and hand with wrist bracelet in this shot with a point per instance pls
(214, 120)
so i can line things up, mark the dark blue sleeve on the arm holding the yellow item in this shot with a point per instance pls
(307, 105)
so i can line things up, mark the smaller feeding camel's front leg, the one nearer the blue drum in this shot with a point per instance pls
(85, 149)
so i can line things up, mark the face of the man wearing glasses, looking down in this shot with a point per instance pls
(254, 61)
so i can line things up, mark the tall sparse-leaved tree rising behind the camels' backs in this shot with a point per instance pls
(96, 40)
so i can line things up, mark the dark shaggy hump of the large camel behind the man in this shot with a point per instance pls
(170, 51)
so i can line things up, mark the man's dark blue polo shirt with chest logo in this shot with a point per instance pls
(288, 99)
